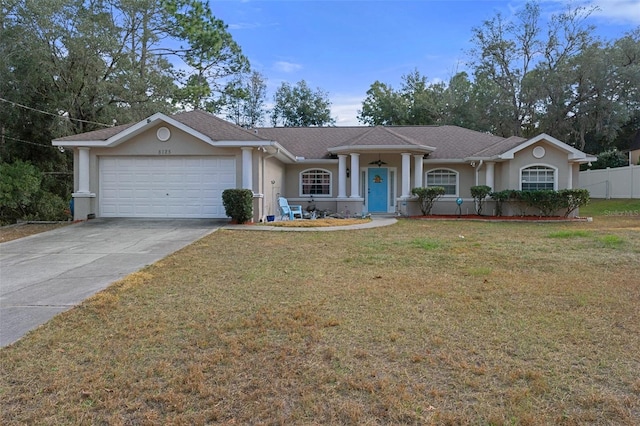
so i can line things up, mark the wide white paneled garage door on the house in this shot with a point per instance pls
(188, 187)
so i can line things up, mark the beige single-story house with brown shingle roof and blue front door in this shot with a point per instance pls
(177, 167)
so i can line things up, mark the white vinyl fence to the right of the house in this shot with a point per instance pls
(620, 182)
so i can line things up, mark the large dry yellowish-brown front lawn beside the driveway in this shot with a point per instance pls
(406, 324)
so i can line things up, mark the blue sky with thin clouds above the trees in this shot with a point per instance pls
(344, 46)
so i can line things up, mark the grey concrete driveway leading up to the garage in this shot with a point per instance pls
(45, 274)
